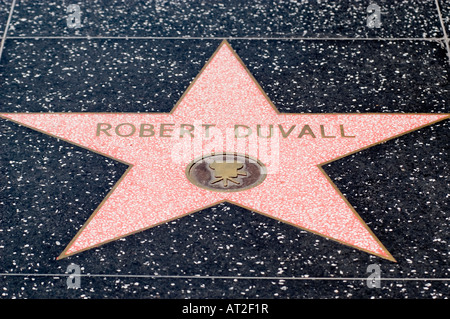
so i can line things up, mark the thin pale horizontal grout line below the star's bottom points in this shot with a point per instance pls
(220, 277)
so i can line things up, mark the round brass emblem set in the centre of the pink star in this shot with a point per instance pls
(226, 172)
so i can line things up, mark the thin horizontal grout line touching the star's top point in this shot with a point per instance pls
(224, 38)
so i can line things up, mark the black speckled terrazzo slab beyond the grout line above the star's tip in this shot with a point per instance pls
(230, 18)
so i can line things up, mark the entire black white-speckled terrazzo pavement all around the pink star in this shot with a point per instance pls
(48, 187)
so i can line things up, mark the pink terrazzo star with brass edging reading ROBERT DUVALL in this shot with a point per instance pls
(159, 146)
